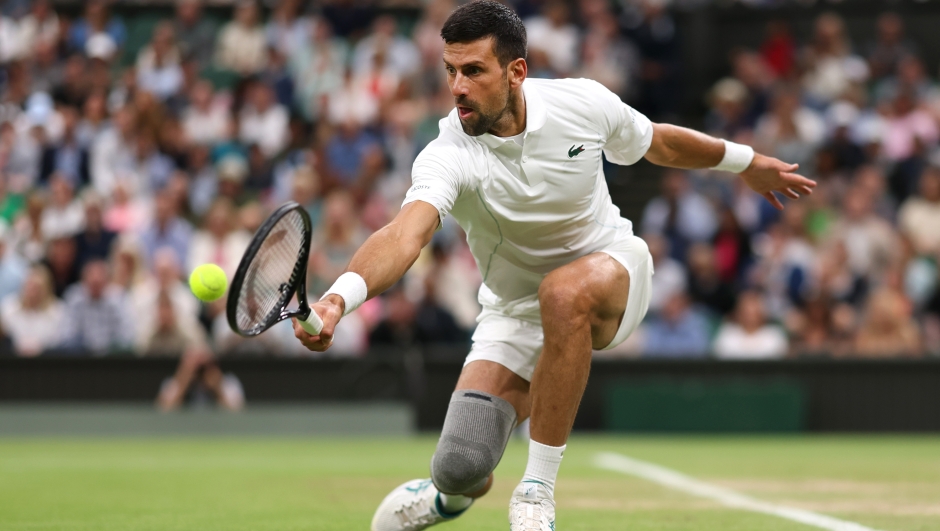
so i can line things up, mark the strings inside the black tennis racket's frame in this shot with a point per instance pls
(271, 274)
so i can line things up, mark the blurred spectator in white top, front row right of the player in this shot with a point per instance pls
(749, 336)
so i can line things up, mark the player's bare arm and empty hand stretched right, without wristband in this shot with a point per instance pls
(678, 147)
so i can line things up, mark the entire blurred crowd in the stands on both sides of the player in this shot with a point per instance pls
(134, 148)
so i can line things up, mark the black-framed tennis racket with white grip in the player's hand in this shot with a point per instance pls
(272, 270)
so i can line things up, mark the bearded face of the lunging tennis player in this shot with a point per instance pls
(480, 85)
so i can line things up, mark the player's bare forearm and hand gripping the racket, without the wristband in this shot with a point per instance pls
(381, 261)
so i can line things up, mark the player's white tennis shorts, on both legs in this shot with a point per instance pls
(517, 344)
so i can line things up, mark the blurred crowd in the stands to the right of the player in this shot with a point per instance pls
(850, 271)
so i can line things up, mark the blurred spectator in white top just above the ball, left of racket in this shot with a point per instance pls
(221, 242)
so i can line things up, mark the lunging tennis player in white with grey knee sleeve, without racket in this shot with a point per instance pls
(518, 165)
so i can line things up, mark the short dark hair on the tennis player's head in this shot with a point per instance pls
(487, 18)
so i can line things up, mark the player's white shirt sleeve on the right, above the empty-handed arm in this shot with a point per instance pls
(629, 133)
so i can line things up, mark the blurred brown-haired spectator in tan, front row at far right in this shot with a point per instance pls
(887, 329)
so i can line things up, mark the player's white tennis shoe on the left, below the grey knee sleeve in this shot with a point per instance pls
(412, 506)
